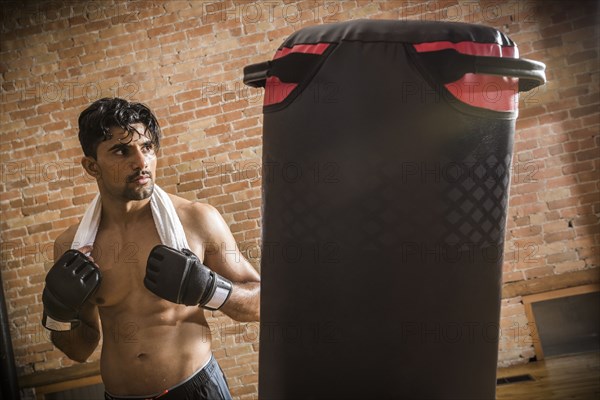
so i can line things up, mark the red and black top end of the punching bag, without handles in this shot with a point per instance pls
(493, 92)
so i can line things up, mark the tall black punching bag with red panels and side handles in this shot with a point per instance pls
(386, 161)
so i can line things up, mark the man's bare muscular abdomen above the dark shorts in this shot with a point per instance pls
(144, 356)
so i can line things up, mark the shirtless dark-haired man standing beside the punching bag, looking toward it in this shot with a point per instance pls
(152, 347)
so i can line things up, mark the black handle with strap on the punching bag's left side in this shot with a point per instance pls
(291, 68)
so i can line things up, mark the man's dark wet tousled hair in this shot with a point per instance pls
(96, 121)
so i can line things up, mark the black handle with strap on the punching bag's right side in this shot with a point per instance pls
(449, 66)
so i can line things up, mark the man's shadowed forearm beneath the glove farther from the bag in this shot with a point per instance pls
(78, 344)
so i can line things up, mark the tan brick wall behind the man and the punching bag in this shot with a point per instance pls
(184, 59)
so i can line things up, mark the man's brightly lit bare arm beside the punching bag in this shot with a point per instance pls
(222, 255)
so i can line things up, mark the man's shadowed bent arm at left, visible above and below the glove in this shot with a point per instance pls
(79, 343)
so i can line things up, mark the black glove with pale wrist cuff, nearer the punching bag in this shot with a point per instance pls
(180, 277)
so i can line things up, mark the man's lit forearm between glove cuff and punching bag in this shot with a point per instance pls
(244, 303)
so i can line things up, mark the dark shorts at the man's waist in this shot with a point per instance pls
(208, 383)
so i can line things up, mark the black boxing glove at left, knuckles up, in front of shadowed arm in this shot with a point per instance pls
(69, 283)
